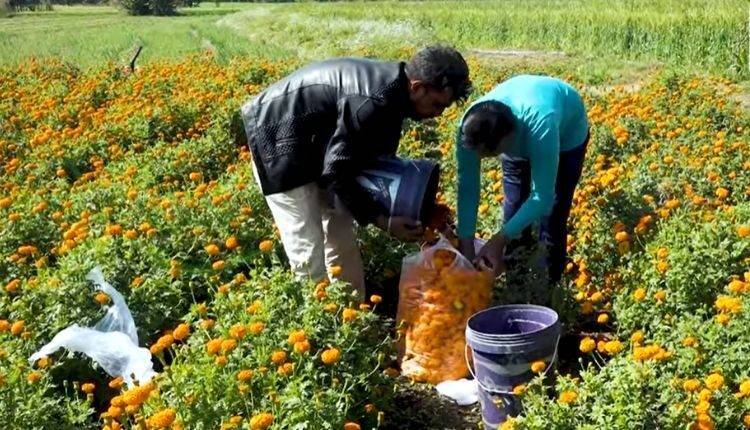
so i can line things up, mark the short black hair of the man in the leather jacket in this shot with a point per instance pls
(441, 67)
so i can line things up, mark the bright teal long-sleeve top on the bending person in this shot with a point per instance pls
(549, 118)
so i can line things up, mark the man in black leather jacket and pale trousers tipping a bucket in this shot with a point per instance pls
(313, 132)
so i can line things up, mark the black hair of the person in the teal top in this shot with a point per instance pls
(485, 125)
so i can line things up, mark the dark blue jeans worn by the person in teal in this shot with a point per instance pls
(553, 230)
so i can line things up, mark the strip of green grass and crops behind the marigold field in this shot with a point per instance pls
(598, 34)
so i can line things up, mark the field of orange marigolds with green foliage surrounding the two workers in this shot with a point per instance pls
(139, 174)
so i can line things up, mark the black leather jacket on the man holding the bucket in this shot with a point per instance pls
(324, 123)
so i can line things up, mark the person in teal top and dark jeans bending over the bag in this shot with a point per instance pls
(538, 127)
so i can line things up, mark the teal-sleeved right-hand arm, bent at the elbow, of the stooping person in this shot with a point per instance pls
(544, 155)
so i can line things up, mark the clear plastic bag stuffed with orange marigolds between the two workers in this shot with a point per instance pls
(439, 290)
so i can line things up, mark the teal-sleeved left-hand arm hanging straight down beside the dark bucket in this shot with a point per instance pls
(468, 174)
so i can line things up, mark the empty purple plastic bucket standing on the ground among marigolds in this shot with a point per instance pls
(504, 341)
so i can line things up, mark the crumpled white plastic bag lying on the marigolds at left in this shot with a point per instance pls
(112, 343)
